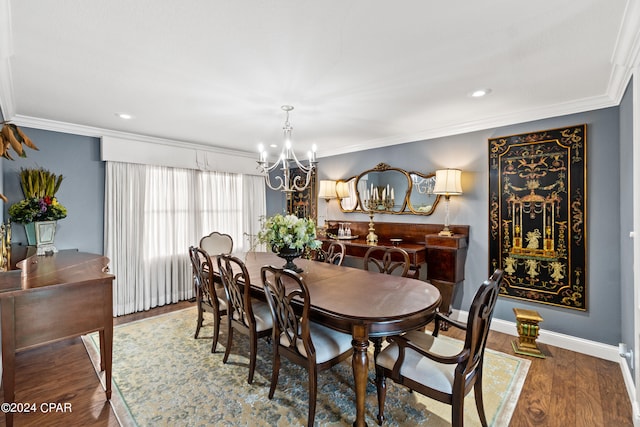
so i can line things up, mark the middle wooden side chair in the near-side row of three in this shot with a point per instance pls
(246, 315)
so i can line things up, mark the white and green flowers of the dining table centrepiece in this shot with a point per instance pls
(288, 231)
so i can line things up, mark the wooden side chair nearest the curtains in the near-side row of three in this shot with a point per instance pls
(209, 297)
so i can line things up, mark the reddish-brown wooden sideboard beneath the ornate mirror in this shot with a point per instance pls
(444, 256)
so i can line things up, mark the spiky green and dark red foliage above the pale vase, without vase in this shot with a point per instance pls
(39, 187)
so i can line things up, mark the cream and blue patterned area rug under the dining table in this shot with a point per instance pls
(162, 376)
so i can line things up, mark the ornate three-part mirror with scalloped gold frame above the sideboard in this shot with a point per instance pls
(393, 191)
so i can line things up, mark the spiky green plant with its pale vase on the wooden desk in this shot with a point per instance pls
(39, 210)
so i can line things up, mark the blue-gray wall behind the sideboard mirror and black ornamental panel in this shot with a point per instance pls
(601, 322)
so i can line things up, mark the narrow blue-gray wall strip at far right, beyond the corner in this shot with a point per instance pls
(626, 220)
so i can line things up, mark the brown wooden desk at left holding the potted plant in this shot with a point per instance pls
(52, 298)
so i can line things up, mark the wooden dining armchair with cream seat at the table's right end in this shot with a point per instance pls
(439, 368)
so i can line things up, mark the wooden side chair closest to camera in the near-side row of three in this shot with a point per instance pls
(306, 343)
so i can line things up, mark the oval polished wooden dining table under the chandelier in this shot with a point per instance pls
(363, 303)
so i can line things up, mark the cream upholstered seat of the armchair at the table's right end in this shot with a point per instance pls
(421, 369)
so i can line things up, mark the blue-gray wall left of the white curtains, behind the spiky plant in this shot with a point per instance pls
(77, 158)
